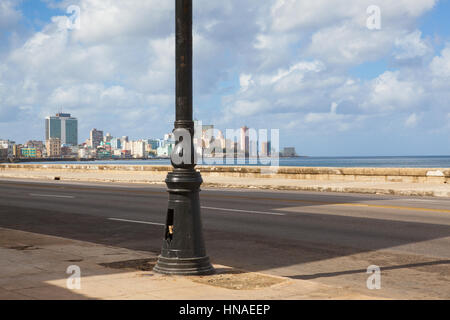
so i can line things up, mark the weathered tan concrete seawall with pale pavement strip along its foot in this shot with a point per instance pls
(401, 181)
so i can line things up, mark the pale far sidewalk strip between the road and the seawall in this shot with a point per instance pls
(146, 177)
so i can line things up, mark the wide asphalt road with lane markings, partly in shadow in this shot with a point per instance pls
(326, 237)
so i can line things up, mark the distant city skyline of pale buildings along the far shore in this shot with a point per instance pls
(61, 142)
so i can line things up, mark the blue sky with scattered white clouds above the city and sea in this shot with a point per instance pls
(311, 69)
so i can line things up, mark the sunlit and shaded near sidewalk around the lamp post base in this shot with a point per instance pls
(33, 266)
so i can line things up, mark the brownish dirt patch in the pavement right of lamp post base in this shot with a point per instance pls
(238, 280)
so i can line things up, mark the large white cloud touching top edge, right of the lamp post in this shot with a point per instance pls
(338, 29)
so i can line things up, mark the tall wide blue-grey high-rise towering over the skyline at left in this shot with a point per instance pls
(62, 126)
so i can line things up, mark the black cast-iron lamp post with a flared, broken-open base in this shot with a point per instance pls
(183, 250)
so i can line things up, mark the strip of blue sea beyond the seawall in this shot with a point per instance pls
(336, 162)
